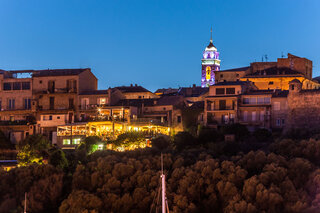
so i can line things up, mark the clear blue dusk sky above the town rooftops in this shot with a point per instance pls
(155, 44)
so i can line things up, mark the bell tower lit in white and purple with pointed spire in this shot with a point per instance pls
(210, 63)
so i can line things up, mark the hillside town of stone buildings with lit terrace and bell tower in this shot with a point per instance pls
(66, 106)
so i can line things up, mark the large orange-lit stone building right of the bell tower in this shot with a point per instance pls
(273, 75)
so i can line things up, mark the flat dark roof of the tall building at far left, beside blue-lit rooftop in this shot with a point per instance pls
(57, 72)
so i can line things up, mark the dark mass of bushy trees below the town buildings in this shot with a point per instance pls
(255, 173)
